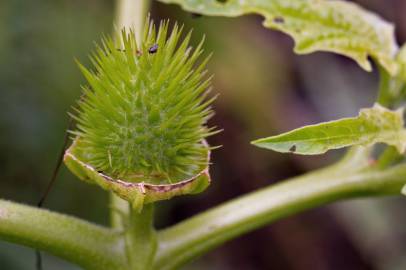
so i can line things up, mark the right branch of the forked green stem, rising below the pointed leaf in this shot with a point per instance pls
(351, 178)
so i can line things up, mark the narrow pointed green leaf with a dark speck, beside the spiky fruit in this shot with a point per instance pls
(373, 125)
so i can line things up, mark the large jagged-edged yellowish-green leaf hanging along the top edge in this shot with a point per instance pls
(315, 25)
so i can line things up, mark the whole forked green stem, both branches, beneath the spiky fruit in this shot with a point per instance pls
(95, 247)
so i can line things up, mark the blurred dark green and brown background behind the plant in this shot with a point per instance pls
(264, 89)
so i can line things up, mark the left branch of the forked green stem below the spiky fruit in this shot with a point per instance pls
(83, 243)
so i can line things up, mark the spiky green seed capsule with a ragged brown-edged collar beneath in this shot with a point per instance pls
(141, 122)
